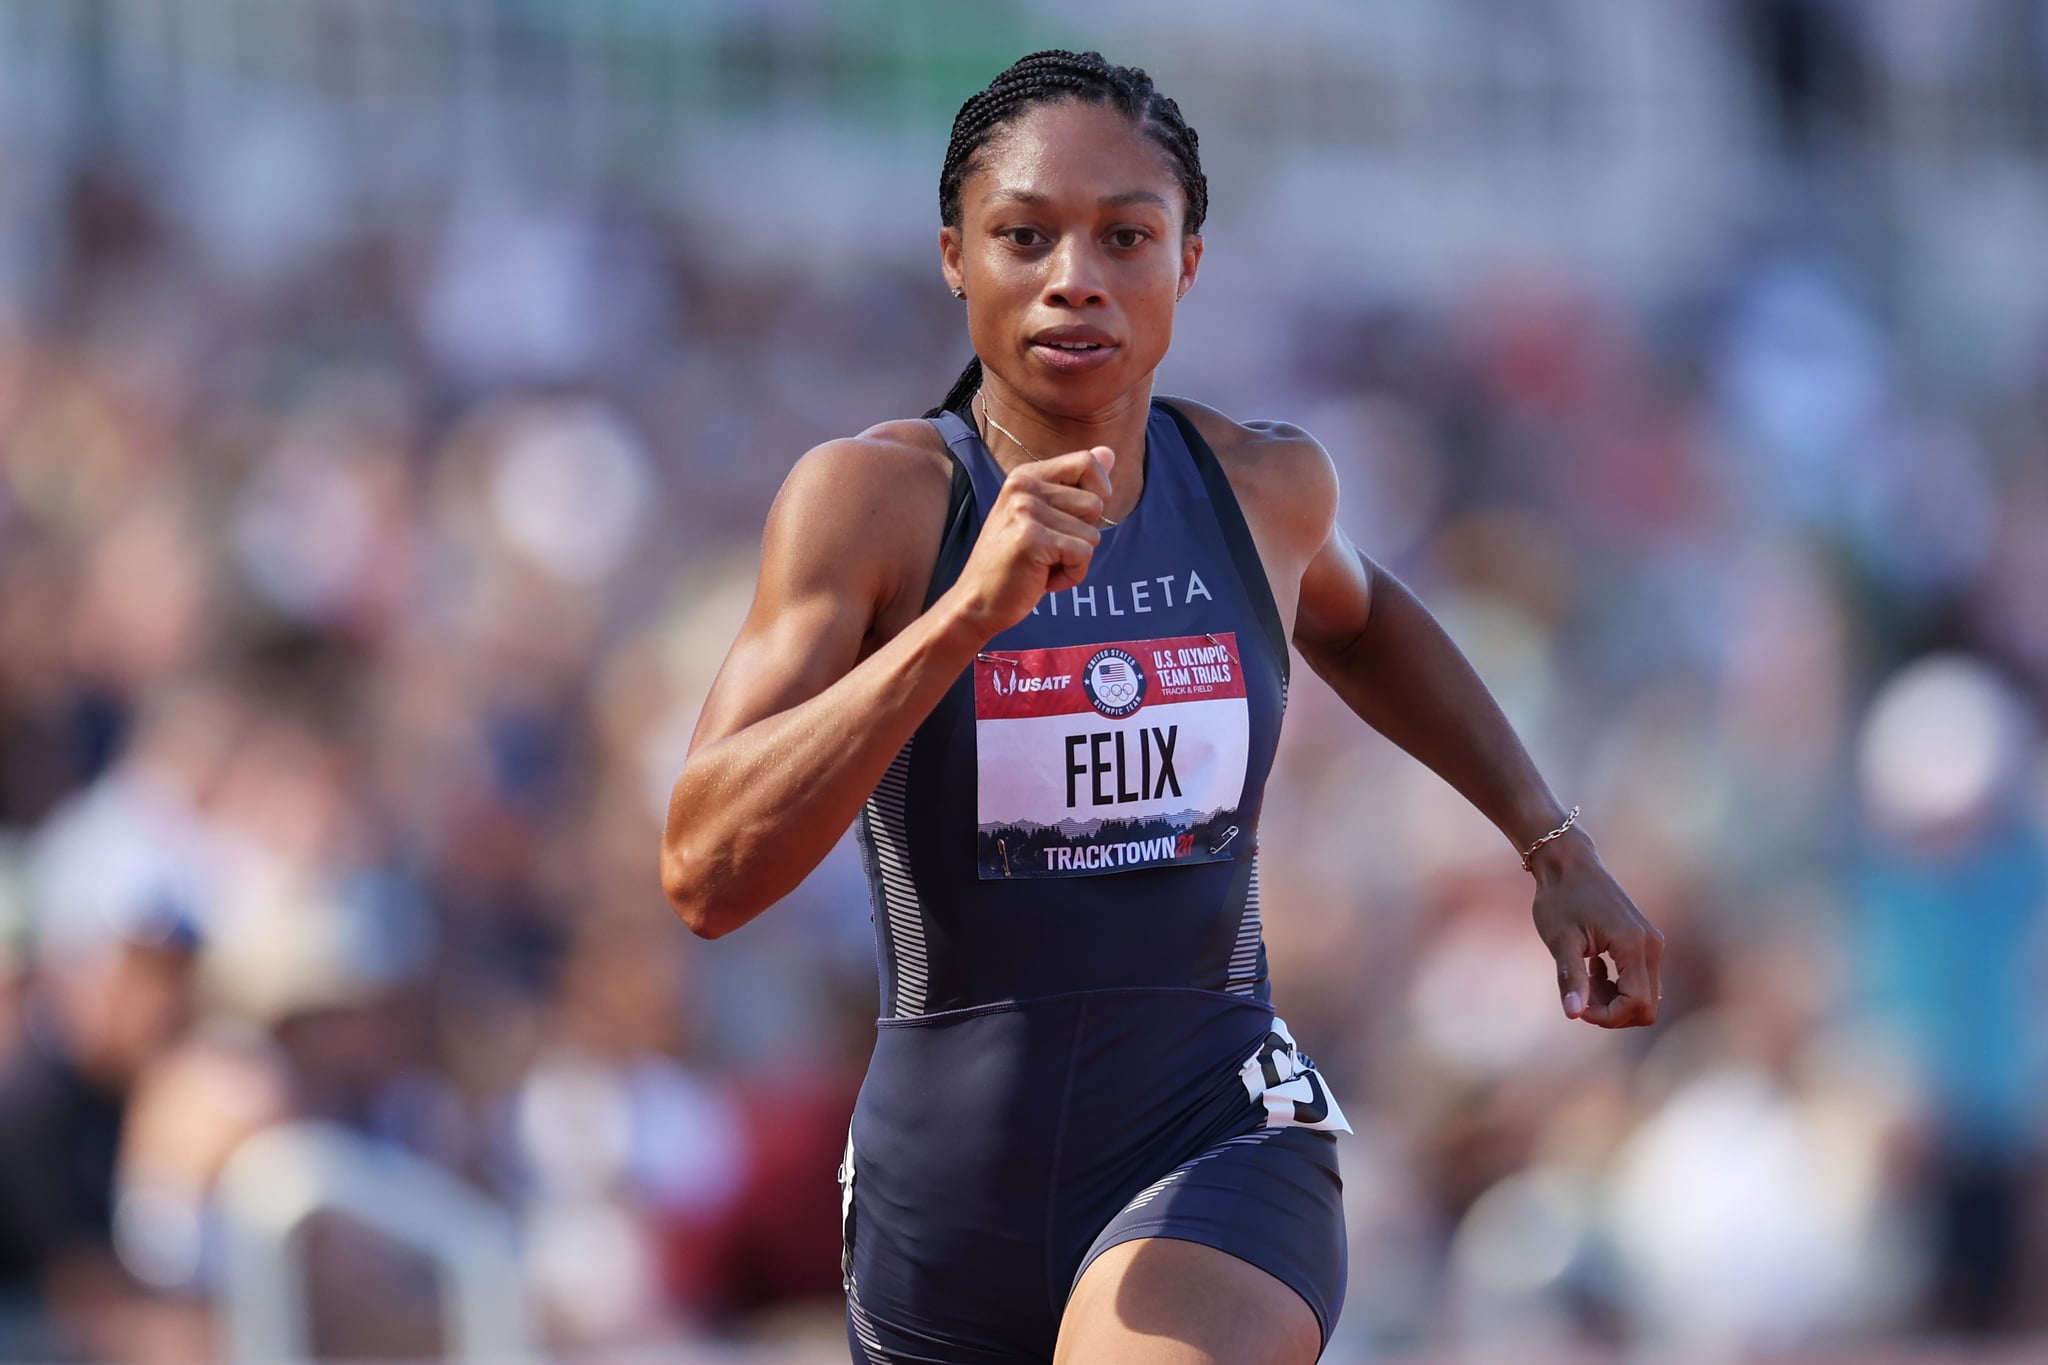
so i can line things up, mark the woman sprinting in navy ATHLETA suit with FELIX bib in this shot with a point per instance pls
(1039, 644)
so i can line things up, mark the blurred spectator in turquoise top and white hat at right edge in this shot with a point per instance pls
(1953, 887)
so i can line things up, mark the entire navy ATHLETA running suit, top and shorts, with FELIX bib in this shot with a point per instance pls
(1078, 1045)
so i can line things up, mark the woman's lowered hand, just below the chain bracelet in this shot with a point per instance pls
(1584, 914)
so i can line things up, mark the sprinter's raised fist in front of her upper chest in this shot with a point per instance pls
(1041, 537)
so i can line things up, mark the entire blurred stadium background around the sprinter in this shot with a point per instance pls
(390, 400)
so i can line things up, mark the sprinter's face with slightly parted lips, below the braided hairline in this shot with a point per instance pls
(1072, 257)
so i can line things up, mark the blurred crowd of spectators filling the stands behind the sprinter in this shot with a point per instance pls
(355, 611)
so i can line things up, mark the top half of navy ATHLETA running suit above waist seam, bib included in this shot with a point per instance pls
(1080, 811)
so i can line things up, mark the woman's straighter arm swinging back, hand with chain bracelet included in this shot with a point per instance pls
(1365, 633)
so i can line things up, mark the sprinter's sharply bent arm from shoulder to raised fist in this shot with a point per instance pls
(800, 728)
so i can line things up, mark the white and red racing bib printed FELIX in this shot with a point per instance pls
(1107, 758)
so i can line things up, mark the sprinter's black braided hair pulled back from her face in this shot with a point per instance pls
(1046, 79)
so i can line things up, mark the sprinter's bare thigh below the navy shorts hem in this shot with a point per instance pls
(1168, 1303)
